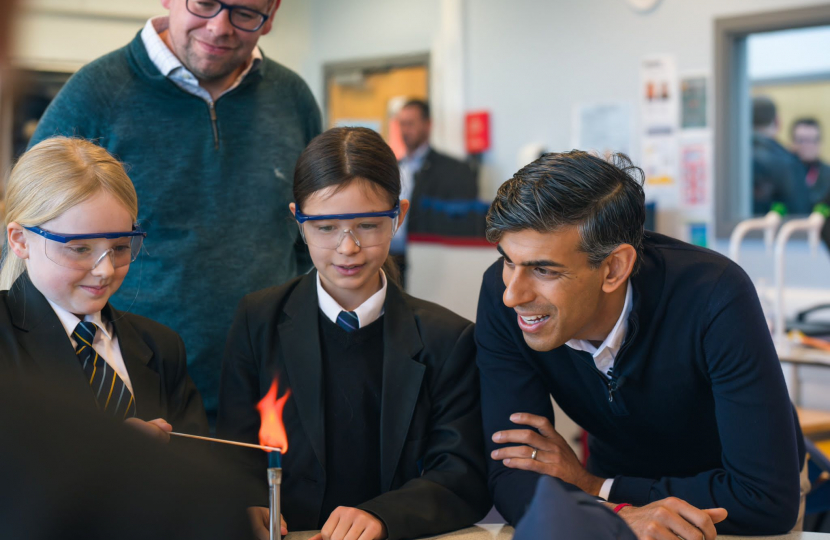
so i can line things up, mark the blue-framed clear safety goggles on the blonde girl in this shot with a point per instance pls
(86, 251)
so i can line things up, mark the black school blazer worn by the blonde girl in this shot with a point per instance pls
(34, 344)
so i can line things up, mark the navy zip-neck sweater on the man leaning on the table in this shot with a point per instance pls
(697, 407)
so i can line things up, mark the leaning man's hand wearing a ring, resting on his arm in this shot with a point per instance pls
(553, 456)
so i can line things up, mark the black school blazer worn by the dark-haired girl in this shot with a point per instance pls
(432, 462)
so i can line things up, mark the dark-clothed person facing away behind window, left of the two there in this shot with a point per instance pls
(775, 171)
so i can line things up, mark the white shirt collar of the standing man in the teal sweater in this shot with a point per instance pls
(171, 67)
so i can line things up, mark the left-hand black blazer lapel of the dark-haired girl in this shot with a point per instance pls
(299, 337)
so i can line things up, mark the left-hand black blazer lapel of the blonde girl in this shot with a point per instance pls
(42, 336)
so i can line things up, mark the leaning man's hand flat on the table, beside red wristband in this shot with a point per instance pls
(670, 518)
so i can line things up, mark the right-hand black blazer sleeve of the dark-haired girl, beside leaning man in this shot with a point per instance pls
(451, 493)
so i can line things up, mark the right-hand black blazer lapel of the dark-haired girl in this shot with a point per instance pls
(402, 377)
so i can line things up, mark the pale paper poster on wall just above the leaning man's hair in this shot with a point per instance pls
(603, 128)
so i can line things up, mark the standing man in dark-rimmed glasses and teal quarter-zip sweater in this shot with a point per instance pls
(210, 130)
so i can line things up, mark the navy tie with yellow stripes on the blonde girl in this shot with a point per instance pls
(111, 394)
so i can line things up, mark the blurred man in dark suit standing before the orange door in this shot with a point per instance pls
(426, 175)
